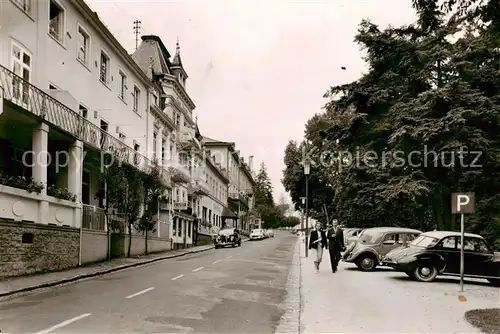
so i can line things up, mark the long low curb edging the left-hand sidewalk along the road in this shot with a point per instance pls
(97, 273)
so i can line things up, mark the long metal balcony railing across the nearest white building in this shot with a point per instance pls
(34, 100)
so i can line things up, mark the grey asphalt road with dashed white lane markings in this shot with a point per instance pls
(231, 290)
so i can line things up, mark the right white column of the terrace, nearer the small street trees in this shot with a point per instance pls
(75, 171)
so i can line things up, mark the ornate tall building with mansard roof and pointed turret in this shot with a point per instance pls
(183, 154)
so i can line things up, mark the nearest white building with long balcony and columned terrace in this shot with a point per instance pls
(68, 86)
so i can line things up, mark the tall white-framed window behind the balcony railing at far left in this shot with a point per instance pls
(21, 66)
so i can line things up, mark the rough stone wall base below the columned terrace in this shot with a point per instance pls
(27, 248)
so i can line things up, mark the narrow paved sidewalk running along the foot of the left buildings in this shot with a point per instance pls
(16, 285)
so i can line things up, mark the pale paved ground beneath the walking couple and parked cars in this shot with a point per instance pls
(385, 301)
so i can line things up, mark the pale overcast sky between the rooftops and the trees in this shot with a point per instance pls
(257, 69)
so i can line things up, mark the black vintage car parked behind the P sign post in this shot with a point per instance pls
(438, 253)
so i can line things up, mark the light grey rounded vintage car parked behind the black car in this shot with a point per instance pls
(375, 243)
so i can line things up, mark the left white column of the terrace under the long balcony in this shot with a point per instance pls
(40, 161)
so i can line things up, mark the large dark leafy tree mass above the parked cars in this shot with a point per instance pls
(421, 123)
